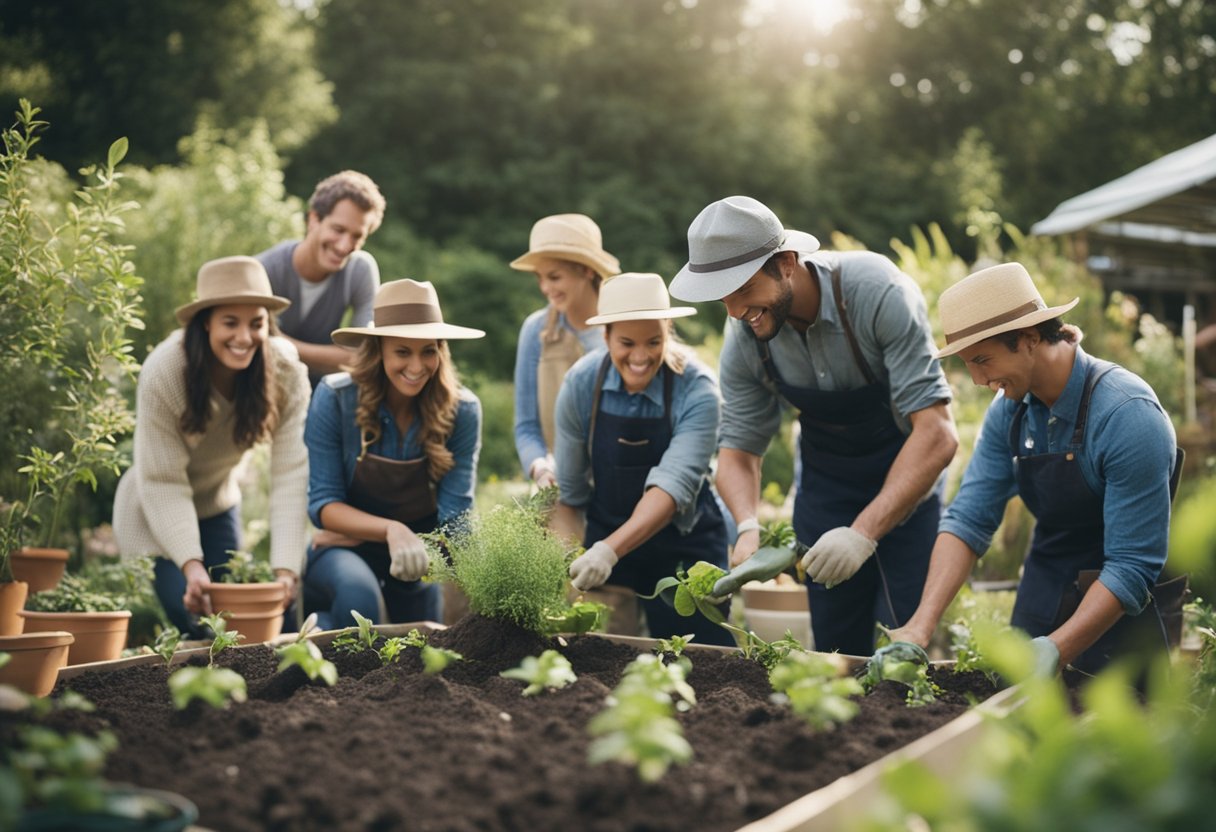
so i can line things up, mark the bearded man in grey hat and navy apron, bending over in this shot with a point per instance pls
(845, 339)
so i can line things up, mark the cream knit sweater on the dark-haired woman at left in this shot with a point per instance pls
(177, 479)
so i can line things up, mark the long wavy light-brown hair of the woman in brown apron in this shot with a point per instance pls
(437, 404)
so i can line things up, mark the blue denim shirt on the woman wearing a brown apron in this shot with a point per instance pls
(334, 447)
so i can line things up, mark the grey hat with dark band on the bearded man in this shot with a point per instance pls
(729, 243)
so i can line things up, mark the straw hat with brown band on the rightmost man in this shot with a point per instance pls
(993, 301)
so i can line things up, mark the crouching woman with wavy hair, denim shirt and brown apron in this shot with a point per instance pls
(393, 449)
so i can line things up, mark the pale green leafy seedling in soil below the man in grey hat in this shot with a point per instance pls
(813, 687)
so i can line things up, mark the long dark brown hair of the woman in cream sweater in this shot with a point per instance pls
(257, 387)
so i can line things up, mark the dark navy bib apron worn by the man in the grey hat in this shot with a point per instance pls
(849, 442)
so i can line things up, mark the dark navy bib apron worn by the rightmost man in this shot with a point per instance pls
(1068, 548)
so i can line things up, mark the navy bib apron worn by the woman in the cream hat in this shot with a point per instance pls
(623, 452)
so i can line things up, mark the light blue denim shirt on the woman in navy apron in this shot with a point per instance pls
(685, 465)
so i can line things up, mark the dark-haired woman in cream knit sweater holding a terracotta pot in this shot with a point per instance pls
(207, 395)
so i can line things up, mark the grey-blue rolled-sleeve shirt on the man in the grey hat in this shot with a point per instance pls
(890, 319)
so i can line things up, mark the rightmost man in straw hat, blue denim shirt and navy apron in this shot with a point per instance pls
(1093, 454)
